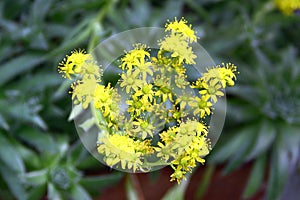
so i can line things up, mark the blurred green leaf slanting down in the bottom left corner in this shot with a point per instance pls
(13, 181)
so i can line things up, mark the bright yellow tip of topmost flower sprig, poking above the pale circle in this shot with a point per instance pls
(182, 28)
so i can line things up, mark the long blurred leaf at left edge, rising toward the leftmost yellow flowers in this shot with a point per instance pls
(18, 66)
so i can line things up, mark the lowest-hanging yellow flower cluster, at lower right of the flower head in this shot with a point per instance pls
(185, 146)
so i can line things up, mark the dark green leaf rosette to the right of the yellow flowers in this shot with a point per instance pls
(264, 111)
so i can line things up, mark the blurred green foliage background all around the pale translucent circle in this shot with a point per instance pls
(41, 156)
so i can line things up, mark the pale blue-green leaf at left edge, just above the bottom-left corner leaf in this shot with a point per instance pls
(9, 156)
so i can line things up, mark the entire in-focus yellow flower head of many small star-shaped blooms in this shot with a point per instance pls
(159, 99)
